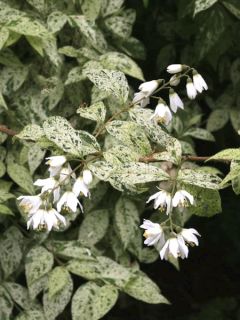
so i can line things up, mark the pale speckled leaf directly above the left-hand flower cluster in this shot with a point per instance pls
(75, 142)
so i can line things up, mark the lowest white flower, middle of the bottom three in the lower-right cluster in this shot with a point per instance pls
(175, 247)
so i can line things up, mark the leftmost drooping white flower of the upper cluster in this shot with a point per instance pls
(146, 89)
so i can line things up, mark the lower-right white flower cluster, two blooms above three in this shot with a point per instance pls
(177, 242)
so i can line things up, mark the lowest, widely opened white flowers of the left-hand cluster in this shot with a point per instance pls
(45, 219)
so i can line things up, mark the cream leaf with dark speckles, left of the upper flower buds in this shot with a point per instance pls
(113, 82)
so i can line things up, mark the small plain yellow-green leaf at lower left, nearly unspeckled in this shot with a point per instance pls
(58, 279)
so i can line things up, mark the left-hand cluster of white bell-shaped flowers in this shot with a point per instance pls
(61, 190)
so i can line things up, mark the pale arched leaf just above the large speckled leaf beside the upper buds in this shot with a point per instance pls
(120, 61)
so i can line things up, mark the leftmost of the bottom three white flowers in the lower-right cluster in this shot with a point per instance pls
(153, 233)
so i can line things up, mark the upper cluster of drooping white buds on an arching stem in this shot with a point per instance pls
(163, 114)
